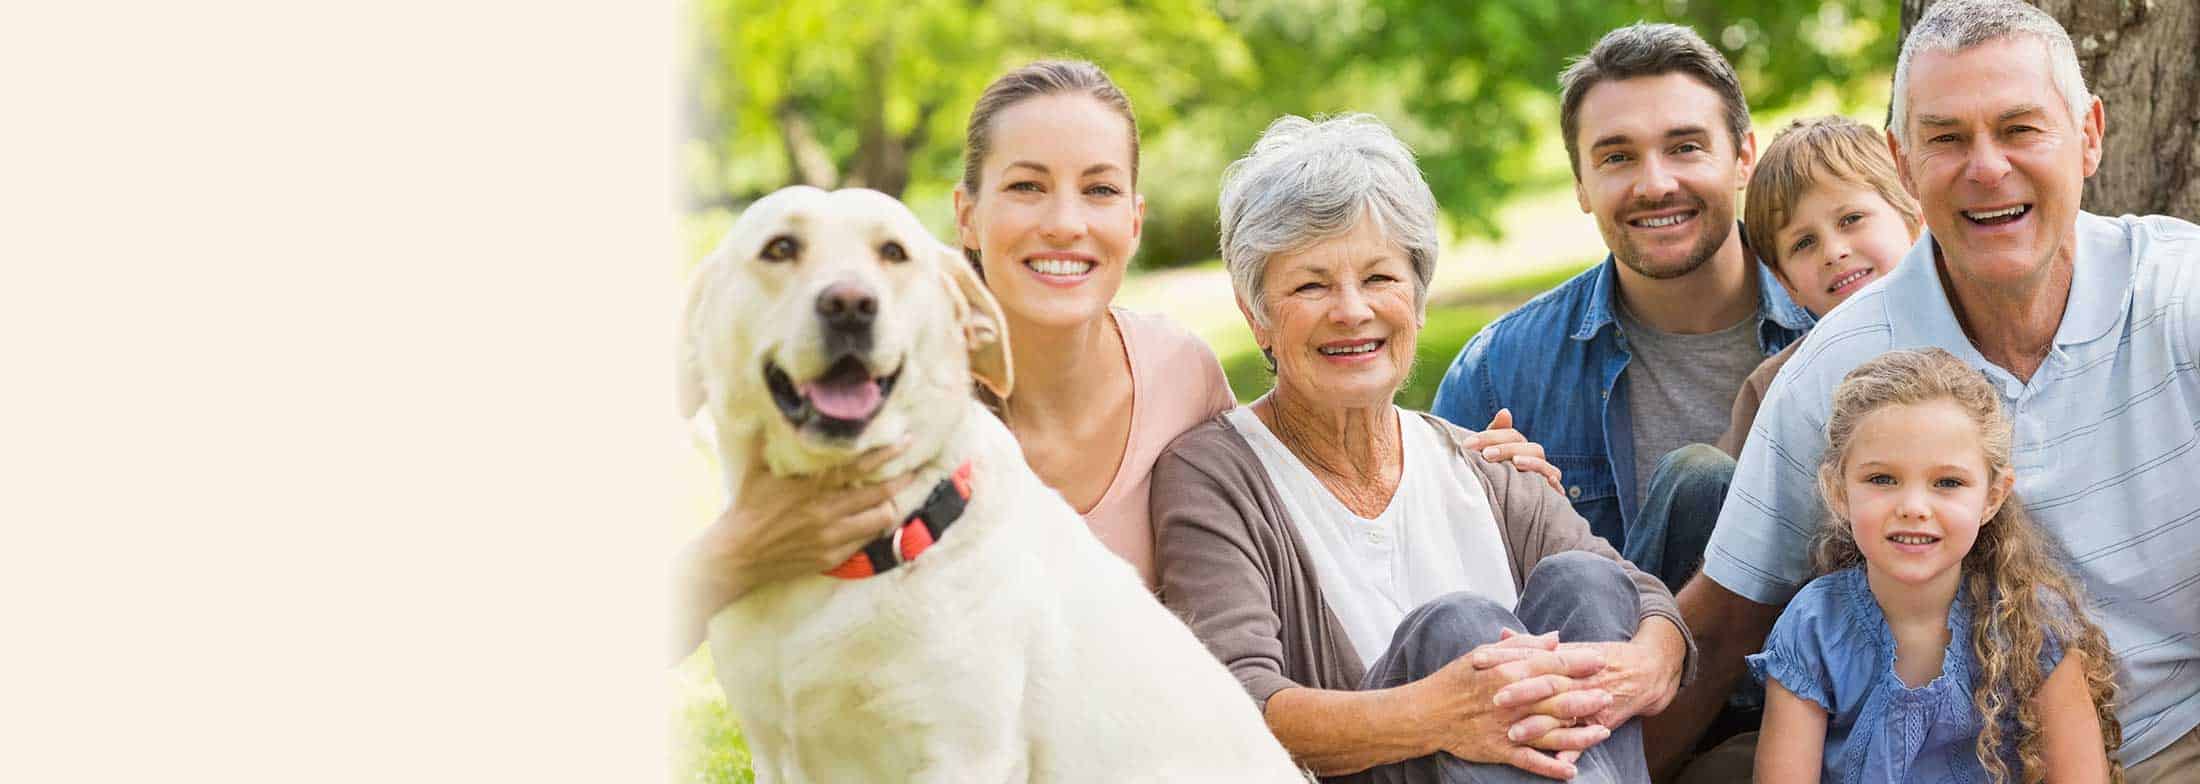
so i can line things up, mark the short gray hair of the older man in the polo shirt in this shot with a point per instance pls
(1957, 25)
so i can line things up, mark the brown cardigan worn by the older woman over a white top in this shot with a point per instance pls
(1237, 574)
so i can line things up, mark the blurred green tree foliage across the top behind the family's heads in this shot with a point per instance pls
(874, 94)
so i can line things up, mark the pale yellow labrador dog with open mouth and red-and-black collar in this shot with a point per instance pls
(987, 640)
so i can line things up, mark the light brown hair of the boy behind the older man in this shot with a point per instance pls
(1807, 153)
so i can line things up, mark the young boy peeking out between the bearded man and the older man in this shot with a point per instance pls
(1829, 217)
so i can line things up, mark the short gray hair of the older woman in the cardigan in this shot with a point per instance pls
(1308, 182)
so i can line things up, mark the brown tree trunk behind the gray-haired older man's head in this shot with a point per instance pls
(2142, 58)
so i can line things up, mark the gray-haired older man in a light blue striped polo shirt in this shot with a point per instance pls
(2089, 327)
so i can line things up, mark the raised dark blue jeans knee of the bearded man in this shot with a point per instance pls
(1680, 512)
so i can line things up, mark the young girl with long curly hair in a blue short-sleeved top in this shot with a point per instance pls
(1941, 642)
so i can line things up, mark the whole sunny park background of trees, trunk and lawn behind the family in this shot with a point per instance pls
(874, 94)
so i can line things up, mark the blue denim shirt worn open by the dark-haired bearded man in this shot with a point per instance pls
(1556, 364)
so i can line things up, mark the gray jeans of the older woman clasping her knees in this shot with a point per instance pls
(1578, 596)
